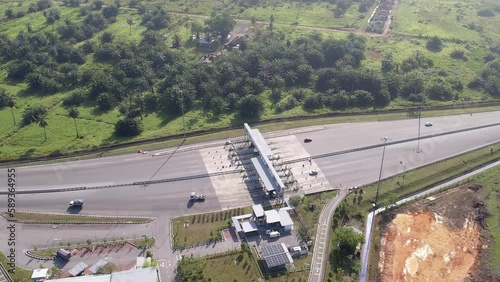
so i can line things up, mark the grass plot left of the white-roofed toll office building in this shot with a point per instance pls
(201, 228)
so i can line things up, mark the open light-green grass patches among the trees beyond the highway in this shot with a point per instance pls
(96, 127)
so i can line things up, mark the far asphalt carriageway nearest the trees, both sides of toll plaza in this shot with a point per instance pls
(138, 167)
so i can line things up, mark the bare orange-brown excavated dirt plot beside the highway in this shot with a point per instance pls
(436, 239)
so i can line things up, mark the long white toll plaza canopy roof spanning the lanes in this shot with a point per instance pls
(262, 164)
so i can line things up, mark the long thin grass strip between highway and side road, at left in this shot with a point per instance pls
(61, 218)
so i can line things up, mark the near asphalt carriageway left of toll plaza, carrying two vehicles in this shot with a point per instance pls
(154, 200)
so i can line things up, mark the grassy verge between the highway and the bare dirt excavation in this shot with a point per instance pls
(352, 212)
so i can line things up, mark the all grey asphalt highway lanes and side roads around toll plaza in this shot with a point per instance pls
(170, 199)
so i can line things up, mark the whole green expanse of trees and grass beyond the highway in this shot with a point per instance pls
(78, 75)
